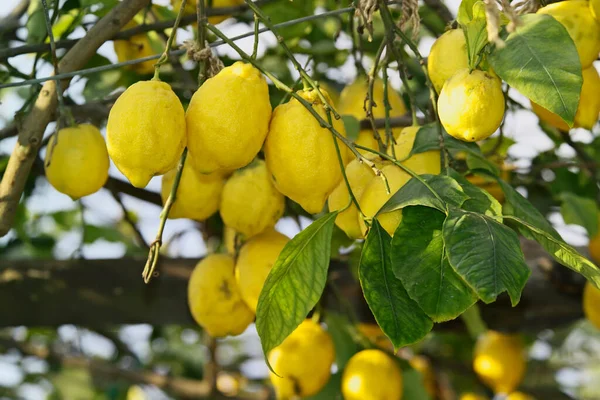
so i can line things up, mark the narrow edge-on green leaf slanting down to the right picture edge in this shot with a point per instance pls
(562, 252)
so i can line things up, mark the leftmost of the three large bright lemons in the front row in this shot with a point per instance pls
(145, 133)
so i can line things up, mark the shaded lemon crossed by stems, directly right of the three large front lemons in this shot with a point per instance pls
(359, 175)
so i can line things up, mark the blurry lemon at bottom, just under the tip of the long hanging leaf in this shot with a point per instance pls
(302, 372)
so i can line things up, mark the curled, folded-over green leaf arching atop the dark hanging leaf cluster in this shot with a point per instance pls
(414, 192)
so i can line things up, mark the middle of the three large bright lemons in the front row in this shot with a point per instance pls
(228, 119)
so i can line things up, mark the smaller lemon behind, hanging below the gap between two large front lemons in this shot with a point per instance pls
(250, 203)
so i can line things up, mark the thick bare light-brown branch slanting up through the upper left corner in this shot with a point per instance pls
(35, 123)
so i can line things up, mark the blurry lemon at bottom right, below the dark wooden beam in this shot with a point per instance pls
(499, 361)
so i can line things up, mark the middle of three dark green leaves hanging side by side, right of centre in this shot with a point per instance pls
(419, 260)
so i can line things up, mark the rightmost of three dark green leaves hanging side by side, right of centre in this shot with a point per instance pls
(486, 254)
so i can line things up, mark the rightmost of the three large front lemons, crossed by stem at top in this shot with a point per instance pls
(301, 154)
